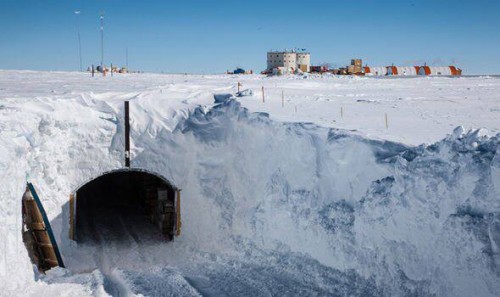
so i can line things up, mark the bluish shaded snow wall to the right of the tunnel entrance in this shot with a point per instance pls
(421, 219)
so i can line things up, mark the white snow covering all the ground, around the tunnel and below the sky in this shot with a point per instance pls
(306, 194)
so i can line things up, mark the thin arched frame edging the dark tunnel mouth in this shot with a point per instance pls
(73, 199)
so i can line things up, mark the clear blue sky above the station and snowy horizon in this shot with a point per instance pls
(208, 36)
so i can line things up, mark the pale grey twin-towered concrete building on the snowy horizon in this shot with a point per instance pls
(288, 61)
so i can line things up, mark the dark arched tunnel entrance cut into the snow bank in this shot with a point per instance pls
(124, 205)
